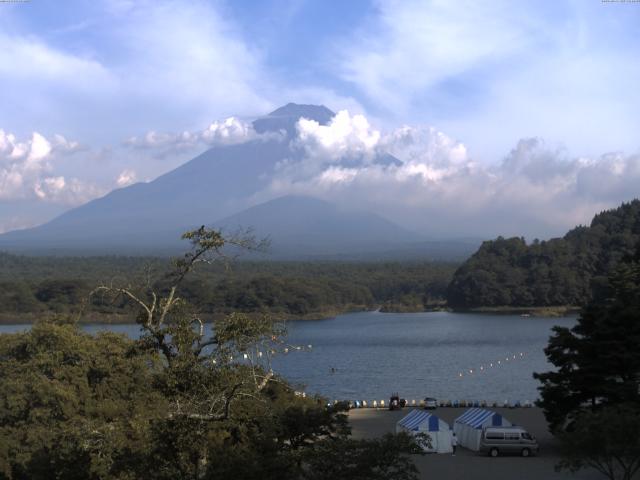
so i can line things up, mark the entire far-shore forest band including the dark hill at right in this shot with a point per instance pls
(505, 272)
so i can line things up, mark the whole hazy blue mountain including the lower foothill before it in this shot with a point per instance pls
(148, 218)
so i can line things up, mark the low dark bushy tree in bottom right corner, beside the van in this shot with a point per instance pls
(607, 440)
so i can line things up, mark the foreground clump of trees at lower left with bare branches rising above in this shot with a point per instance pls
(186, 400)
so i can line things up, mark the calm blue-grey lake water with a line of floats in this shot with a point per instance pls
(416, 354)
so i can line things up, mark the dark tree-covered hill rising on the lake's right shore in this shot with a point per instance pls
(560, 271)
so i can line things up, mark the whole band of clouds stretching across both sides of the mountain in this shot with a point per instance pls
(420, 177)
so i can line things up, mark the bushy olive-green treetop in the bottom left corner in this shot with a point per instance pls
(73, 405)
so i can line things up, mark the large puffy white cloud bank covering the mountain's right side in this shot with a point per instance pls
(434, 186)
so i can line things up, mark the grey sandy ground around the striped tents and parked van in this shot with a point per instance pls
(468, 465)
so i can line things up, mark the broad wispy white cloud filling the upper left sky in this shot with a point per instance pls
(157, 65)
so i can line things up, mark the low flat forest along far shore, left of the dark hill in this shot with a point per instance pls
(32, 286)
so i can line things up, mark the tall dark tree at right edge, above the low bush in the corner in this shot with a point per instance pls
(598, 360)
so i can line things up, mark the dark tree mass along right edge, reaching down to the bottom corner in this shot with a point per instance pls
(592, 399)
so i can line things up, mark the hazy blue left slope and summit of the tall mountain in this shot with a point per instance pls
(213, 185)
